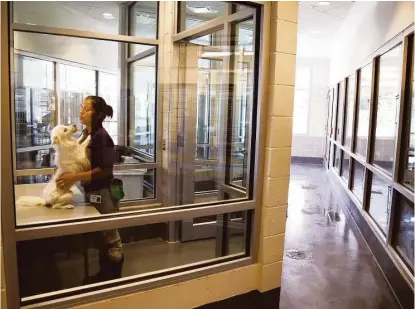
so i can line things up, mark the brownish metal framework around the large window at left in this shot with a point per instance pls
(143, 216)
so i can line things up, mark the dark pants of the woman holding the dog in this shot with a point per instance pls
(112, 246)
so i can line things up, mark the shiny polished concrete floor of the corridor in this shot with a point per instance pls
(338, 270)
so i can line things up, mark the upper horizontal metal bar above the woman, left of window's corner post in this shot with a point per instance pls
(84, 34)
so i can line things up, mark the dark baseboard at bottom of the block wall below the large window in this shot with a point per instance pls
(251, 300)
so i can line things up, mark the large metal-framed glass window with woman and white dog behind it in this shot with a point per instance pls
(185, 155)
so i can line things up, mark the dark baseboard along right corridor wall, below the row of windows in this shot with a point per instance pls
(397, 283)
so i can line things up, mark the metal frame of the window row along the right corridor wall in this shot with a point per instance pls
(398, 189)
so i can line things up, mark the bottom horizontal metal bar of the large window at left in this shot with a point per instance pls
(171, 276)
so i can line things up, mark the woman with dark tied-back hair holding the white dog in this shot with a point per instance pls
(97, 182)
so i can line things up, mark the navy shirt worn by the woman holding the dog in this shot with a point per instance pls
(101, 153)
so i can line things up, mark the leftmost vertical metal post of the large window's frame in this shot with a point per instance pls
(7, 197)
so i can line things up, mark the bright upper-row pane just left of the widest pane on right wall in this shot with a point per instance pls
(363, 113)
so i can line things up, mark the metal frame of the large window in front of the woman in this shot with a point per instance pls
(8, 214)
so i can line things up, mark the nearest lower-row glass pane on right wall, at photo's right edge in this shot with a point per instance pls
(404, 237)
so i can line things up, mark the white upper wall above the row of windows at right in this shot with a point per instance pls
(368, 26)
